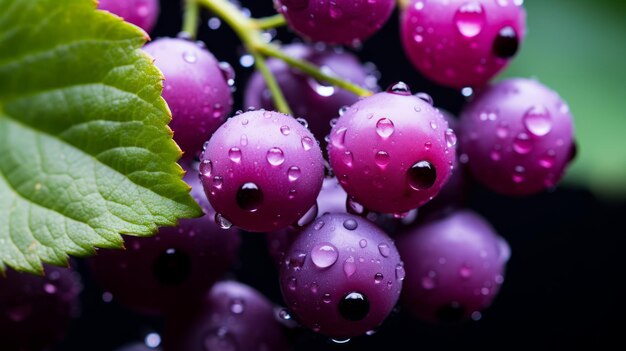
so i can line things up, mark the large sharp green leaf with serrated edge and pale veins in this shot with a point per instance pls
(85, 150)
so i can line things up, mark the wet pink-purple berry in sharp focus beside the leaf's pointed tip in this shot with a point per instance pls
(261, 171)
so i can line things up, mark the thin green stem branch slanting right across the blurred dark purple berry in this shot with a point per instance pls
(314, 71)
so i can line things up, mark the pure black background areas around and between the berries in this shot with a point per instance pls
(564, 282)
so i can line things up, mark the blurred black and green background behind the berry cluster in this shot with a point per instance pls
(563, 284)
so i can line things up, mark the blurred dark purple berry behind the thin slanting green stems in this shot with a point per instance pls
(315, 101)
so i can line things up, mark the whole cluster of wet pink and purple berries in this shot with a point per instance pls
(336, 188)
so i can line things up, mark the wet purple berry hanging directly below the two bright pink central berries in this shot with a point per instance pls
(342, 276)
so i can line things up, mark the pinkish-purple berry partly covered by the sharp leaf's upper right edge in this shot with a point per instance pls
(196, 89)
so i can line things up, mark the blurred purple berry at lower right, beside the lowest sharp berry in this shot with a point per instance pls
(454, 267)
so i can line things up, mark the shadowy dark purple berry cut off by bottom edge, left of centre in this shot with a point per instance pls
(232, 316)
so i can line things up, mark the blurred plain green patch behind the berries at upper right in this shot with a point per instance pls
(576, 47)
